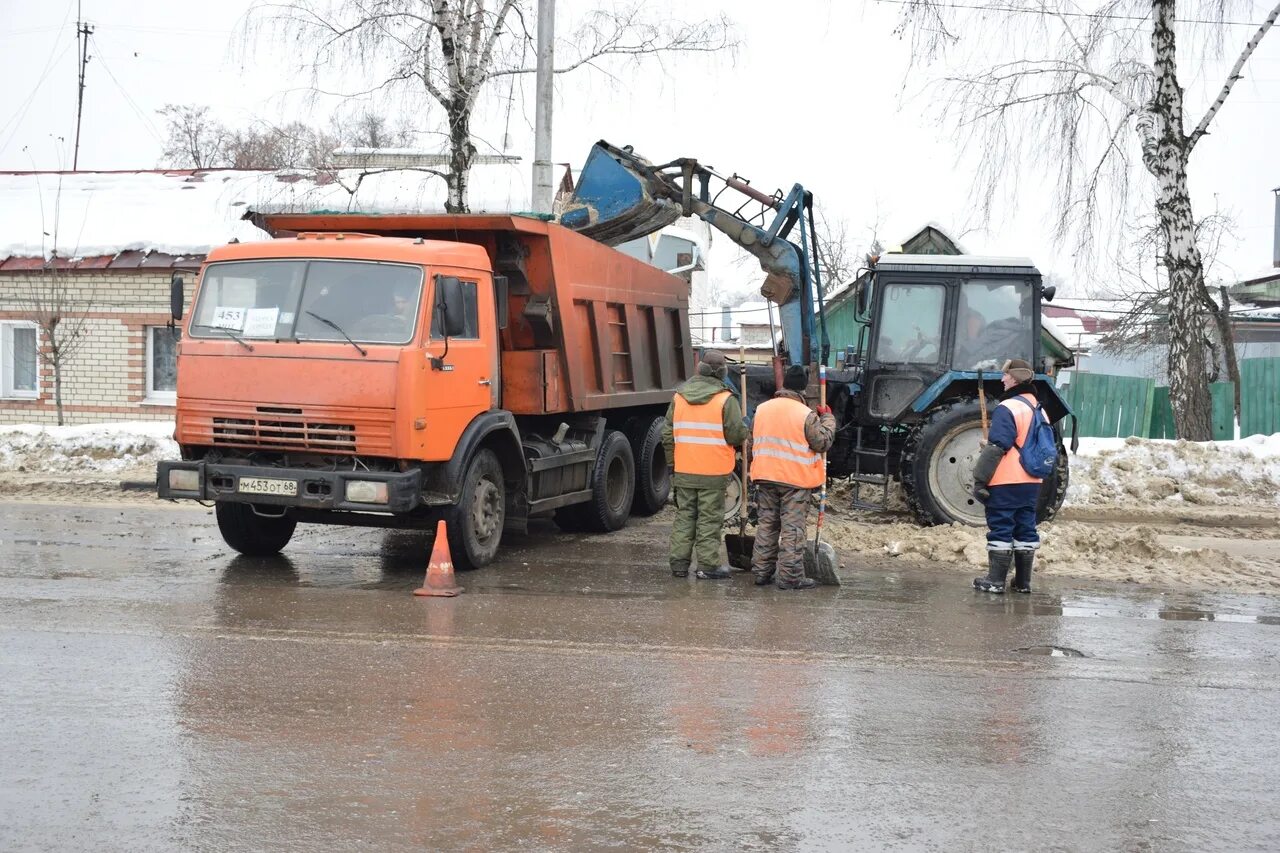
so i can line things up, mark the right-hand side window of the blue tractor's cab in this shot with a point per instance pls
(994, 322)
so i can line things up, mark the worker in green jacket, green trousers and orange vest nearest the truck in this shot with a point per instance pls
(705, 425)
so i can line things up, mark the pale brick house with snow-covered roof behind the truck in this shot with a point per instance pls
(121, 236)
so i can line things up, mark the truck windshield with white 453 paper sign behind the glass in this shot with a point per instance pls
(369, 302)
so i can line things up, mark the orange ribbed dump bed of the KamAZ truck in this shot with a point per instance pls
(589, 327)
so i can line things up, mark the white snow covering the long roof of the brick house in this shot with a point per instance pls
(189, 213)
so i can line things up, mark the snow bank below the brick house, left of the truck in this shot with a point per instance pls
(92, 449)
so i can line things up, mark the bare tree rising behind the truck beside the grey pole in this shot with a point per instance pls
(447, 52)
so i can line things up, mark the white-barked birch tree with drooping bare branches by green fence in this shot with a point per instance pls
(1086, 97)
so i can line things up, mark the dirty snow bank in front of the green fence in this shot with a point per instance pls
(1142, 472)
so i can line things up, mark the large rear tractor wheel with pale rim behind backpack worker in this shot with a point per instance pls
(938, 466)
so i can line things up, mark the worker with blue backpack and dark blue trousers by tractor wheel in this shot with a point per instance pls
(1009, 494)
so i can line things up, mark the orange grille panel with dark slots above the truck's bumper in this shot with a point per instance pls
(318, 430)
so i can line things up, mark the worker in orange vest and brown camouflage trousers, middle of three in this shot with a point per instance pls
(787, 466)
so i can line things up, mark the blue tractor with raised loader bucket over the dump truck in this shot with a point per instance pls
(913, 395)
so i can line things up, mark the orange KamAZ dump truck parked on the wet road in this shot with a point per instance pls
(394, 371)
